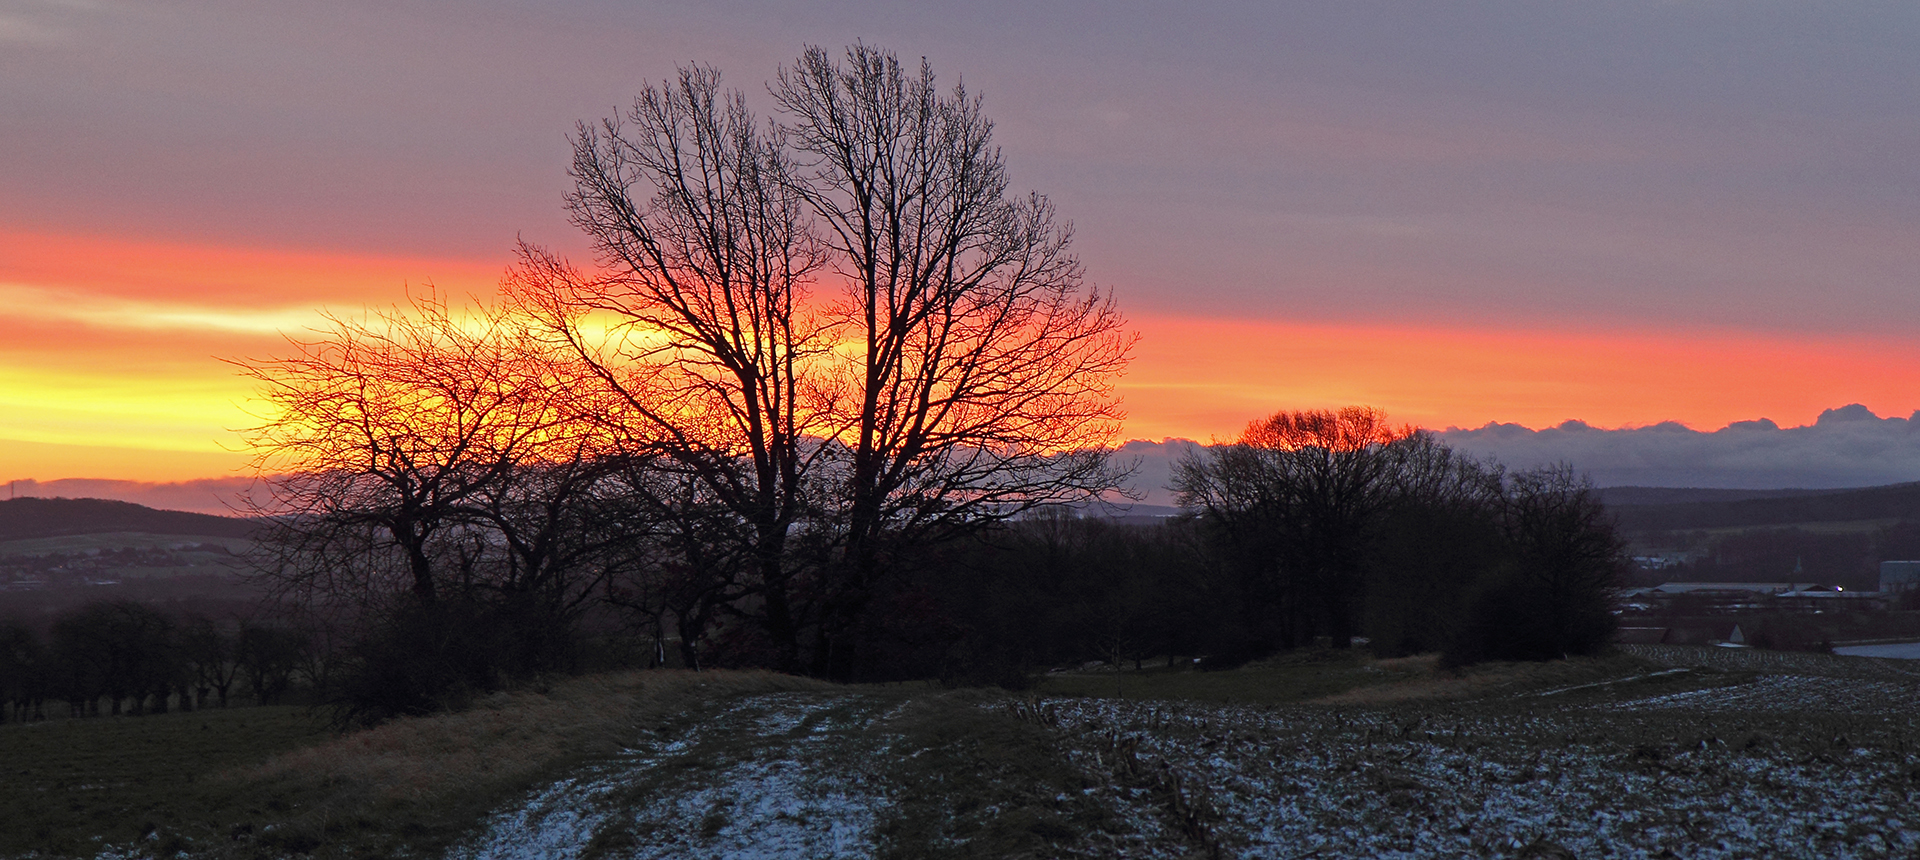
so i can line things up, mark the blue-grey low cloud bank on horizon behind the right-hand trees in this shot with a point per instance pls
(1844, 448)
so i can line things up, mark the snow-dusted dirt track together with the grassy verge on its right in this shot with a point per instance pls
(850, 775)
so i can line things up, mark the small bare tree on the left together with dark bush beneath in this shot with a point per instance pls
(435, 487)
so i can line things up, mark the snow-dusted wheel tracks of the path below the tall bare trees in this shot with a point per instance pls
(775, 776)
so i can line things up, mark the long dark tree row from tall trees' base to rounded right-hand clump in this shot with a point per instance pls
(1324, 527)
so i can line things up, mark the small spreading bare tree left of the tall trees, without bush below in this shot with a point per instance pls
(389, 437)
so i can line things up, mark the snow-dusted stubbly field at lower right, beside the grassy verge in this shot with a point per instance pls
(1595, 780)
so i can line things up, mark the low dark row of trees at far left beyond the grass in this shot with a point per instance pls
(122, 657)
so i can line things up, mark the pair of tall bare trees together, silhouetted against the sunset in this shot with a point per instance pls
(963, 377)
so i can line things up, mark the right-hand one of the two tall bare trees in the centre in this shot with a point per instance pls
(980, 368)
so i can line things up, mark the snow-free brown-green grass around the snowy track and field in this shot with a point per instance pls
(980, 778)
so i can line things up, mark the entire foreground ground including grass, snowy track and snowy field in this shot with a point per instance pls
(1641, 755)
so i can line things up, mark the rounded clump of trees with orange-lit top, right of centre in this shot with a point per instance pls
(1339, 523)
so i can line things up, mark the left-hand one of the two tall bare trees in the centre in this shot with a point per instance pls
(713, 352)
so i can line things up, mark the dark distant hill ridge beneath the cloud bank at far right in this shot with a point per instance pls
(1760, 508)
